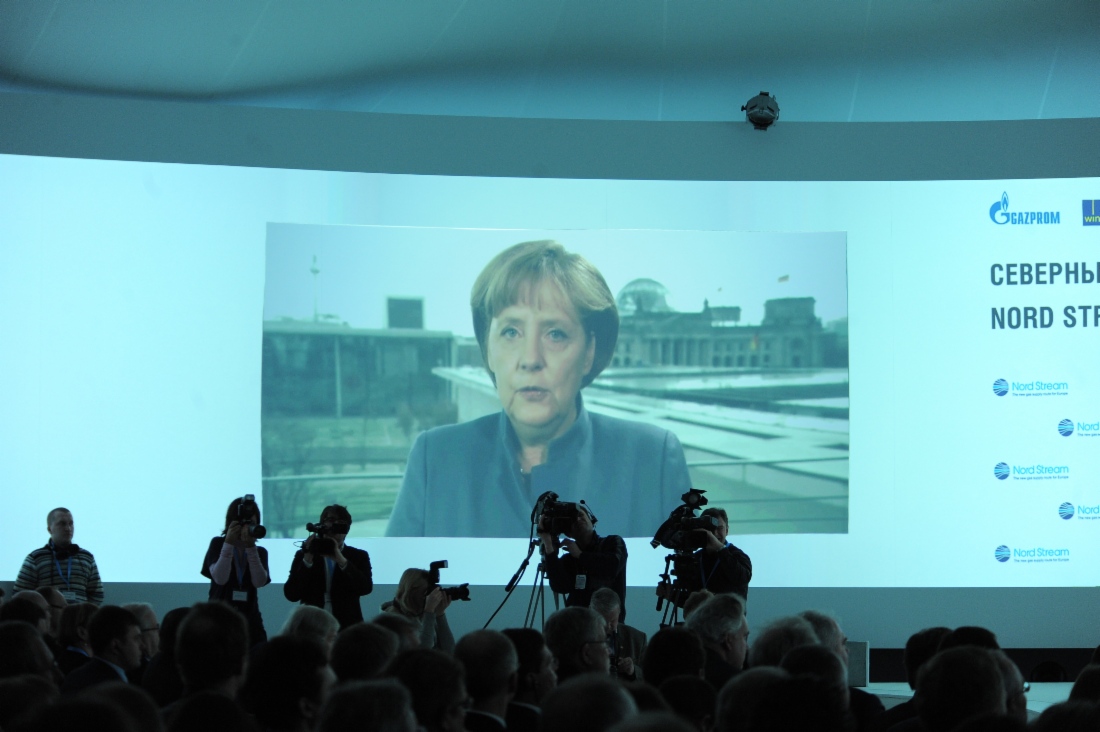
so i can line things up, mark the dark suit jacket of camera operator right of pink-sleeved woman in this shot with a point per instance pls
(306, 585)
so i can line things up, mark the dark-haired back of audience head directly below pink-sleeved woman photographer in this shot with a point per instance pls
(212, 646)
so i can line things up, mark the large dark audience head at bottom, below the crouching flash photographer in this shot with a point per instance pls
(438, 685)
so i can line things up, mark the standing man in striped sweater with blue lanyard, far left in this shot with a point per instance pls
(62, 564)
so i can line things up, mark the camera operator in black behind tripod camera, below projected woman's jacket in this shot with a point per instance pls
(590, 563)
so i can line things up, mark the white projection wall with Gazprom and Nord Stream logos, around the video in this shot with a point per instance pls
(131, 309)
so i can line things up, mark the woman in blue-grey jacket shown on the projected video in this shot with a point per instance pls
(547, 326)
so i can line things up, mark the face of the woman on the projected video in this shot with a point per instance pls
(540, 354)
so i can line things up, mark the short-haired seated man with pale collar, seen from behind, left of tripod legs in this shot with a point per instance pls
(491, 655)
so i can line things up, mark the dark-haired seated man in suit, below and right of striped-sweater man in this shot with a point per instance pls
(115, 636)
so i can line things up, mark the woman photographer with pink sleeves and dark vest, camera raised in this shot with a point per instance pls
(236, 566)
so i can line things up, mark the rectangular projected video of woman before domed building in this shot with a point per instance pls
(728, 373)
